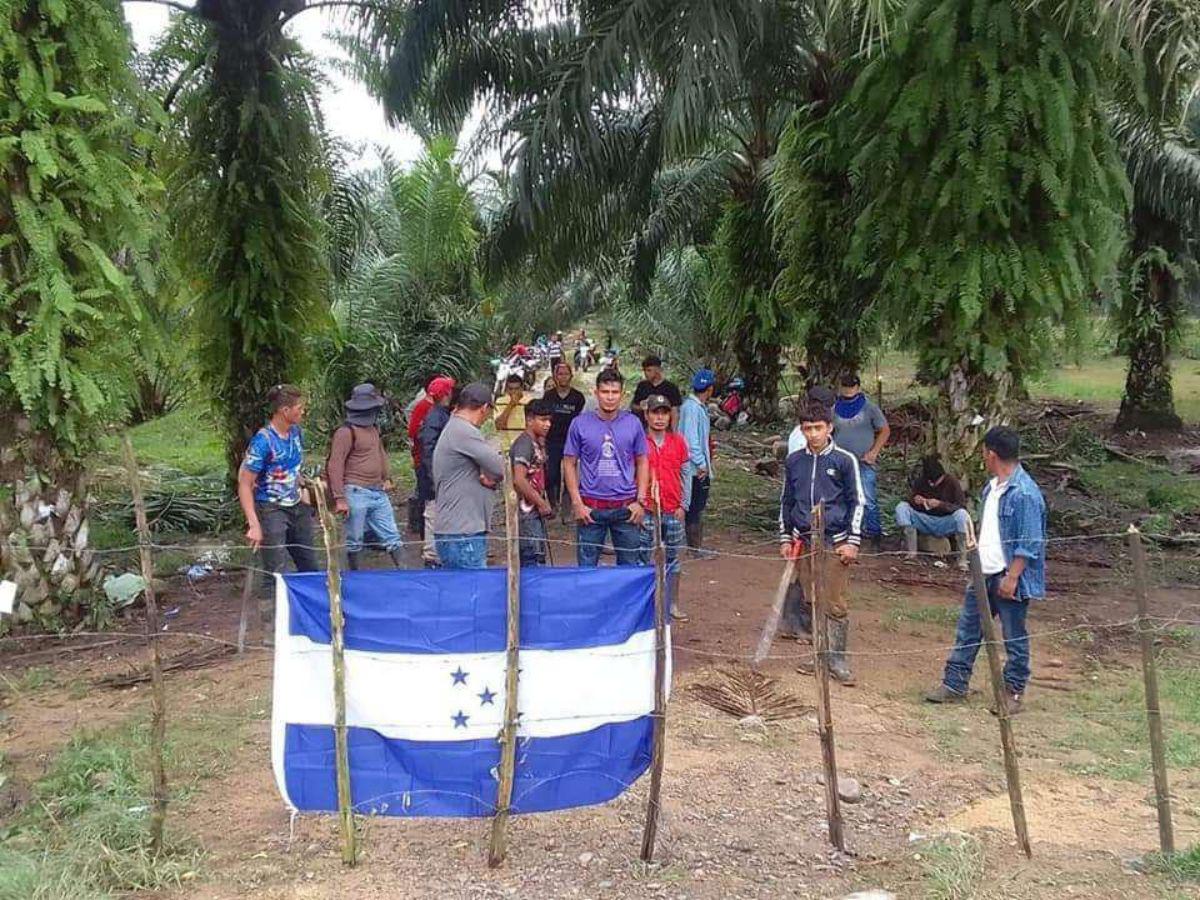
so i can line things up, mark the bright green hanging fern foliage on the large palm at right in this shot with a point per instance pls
(992, 193)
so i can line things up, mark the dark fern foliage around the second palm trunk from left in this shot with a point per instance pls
(247, 182)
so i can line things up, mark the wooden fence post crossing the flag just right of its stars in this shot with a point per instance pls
(499, 847)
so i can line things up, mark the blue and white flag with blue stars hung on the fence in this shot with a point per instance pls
(425, 655)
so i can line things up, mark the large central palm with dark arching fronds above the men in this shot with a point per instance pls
(632, 127)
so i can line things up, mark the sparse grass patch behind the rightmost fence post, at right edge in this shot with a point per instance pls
(1108, 724)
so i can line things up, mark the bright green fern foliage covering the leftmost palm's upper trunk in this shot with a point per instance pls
(73, 227)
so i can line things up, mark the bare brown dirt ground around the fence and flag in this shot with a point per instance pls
(743, 809)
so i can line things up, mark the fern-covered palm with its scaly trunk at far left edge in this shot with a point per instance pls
(74, 238)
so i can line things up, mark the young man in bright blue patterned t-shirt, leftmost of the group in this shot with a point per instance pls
(269, 488)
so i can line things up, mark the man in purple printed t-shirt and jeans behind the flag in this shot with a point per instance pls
(607, 475)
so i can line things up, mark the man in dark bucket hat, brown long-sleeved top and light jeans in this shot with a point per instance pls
(358, 477)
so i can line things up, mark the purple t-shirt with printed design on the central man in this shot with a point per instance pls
(608, 452)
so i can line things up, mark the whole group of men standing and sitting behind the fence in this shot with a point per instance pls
(633, 476)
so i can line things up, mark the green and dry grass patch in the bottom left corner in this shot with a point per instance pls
(85, 836)
